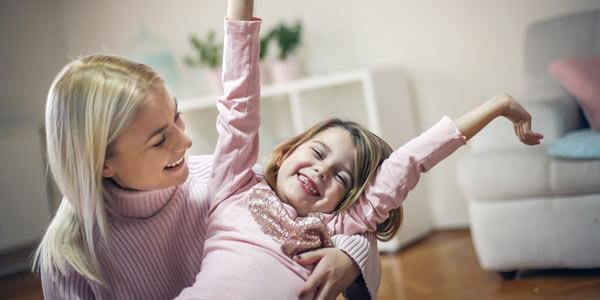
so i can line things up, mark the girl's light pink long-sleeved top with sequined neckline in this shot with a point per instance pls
(250, 233)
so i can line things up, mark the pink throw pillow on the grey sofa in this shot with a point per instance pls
(581, 76)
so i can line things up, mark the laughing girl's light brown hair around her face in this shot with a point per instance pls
(370, 152)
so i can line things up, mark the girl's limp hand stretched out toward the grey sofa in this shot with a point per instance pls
(521, 121)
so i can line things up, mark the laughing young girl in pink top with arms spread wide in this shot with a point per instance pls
(317, 183)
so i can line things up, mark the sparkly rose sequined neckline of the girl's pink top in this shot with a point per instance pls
(294, 235)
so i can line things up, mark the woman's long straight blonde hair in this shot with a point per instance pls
(90, 102)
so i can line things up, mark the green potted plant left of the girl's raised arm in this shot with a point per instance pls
(208, 53)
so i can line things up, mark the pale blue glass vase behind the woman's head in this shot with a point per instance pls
(154, 52)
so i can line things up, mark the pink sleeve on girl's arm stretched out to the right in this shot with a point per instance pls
(397, 176)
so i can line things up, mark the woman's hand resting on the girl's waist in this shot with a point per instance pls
(334, 272)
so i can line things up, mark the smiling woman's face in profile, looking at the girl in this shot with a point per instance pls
(149, 154)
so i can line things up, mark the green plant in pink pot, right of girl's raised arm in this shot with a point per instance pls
(288, 38)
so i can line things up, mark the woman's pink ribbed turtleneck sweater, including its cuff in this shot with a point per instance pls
(158, 241)
